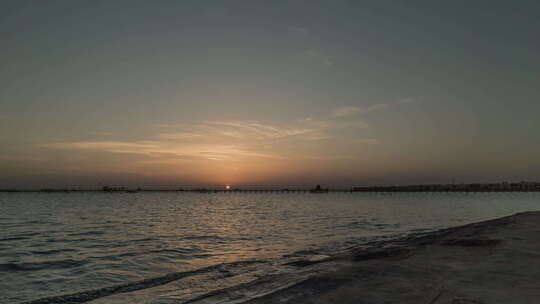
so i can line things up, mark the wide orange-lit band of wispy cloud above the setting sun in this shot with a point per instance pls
(221, 140)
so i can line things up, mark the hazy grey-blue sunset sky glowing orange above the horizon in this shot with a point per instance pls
(268, 93)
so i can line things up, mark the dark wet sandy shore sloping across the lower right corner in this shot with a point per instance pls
(496, 261)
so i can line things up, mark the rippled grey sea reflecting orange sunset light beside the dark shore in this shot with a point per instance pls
(180, 247)
